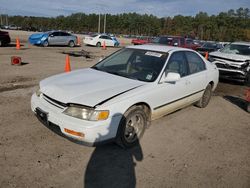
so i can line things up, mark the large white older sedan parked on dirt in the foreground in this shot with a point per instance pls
(117, 98)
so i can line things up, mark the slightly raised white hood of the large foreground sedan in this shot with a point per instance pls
(88, 87)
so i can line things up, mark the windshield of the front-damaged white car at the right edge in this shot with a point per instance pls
(239, 49)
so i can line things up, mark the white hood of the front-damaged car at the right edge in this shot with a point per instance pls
(232, 57)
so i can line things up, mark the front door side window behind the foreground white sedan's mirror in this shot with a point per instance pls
(178, 64)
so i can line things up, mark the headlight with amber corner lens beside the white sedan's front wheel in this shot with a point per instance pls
(86, 113)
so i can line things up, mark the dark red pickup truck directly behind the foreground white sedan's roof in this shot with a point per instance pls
(177, 41)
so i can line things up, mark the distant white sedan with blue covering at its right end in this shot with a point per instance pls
(99, 39)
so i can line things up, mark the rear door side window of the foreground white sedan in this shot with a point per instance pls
(195, 63)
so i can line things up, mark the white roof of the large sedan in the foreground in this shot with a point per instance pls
(158, 47)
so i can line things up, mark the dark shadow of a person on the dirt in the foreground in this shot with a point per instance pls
(111, 166)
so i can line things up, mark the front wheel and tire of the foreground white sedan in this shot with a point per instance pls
(132, 127)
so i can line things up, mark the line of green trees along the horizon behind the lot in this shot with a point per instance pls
(226, 26)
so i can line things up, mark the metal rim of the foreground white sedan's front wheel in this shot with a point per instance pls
(134, 128)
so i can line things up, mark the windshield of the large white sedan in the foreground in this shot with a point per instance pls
(143, 65)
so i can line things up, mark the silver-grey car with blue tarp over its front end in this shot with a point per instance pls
(53, 38)
